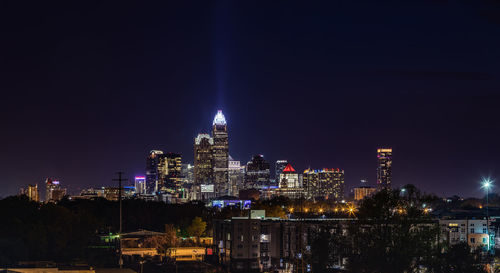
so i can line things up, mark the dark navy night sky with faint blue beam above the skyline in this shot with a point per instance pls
(88, 89)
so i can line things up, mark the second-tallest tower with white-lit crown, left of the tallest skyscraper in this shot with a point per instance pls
(203, 160)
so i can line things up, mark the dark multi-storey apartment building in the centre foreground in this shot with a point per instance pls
(259, 243)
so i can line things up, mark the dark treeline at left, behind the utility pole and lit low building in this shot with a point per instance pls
(63, 232)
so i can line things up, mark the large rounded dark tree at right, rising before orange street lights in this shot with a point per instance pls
(392, 234)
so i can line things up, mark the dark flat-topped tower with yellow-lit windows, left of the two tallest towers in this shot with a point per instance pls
(169, 171)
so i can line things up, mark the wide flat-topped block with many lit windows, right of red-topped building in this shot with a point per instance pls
(324, 183)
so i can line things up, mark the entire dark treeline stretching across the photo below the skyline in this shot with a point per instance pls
(392, 232)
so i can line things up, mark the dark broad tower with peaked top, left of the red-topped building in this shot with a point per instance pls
(257, 173)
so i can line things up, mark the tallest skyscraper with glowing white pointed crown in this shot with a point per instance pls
(220, 154)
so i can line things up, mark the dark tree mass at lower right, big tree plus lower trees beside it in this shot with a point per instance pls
(393, 233)
